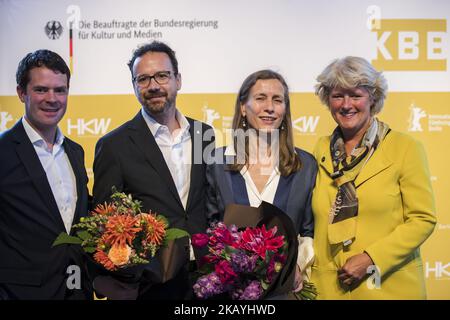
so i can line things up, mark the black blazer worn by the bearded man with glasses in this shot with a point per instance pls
(130, 159)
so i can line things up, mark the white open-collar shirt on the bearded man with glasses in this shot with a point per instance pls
(176, 150)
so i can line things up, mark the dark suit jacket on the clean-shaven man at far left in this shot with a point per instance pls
(30, 221)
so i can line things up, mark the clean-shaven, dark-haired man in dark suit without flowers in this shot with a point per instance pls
(43, 188)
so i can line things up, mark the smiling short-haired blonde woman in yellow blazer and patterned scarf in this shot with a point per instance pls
(373, 202)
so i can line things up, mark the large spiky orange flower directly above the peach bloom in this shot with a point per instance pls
(121, 230)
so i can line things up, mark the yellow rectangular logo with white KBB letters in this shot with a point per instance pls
(410, 44)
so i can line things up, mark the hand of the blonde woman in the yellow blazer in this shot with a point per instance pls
(354, 269)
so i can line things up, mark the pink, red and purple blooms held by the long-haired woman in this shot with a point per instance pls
(240, 263)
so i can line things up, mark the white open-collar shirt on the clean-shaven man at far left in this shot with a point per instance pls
(59, 172)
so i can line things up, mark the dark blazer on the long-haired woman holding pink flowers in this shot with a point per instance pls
(293, 194)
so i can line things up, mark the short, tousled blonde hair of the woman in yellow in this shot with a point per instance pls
(352, 72)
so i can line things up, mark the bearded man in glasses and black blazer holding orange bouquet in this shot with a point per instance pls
(157, 157)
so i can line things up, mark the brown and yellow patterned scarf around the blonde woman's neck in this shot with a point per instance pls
(342, 220)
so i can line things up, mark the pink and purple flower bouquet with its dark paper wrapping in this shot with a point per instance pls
(252, 254)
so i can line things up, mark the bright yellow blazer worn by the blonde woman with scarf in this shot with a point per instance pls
(396, 215)
